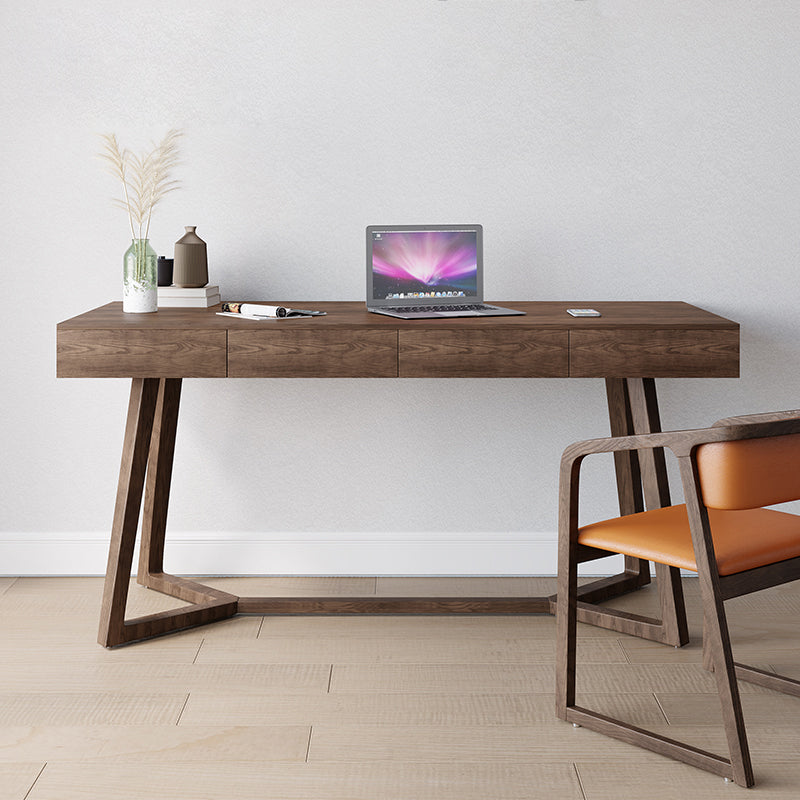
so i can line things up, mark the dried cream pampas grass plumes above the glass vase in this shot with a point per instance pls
(145, 178)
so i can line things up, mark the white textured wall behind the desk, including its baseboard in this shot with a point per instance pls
(612, 149)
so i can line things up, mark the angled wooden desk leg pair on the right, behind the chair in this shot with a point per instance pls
(641, 481)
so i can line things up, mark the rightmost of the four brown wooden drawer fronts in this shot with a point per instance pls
(665, 353)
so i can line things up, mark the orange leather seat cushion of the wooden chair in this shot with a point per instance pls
(742, 539)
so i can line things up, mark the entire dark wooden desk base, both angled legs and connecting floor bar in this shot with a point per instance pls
(146, 468)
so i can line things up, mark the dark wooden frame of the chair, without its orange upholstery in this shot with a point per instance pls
(714, 589)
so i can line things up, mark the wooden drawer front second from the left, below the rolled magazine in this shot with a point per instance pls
(312, 354)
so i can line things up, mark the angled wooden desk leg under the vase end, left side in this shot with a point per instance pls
(147, 451)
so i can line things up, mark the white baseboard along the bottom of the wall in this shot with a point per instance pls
(313, 554)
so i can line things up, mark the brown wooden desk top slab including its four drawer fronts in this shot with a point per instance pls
(630, 339)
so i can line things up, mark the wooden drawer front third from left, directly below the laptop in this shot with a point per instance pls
(479, 353)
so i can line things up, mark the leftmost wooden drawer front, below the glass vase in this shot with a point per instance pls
(141, 354)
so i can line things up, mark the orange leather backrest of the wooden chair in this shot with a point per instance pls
(750, 473)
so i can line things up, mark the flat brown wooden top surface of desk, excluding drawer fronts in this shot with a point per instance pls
(539, 314)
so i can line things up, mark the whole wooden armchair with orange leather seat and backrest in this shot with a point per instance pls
(723, 532)
